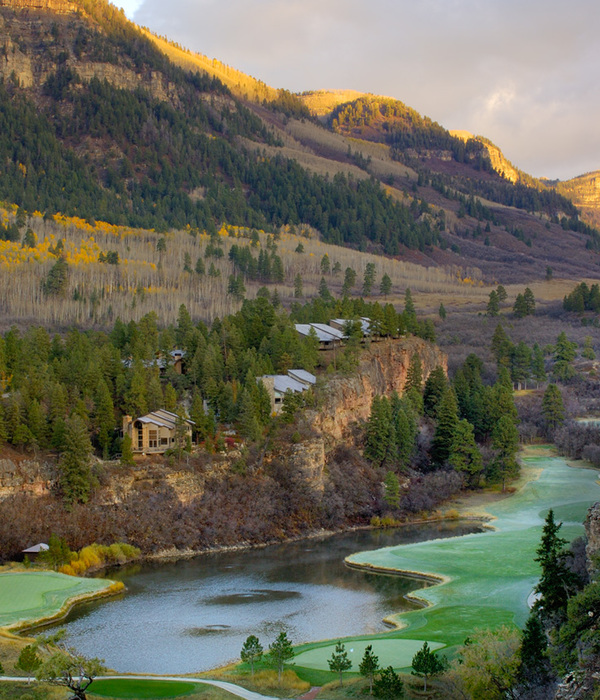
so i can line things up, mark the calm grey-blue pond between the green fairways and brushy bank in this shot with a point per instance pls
(195, 614)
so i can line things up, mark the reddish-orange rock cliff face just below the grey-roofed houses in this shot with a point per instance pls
(383, 369)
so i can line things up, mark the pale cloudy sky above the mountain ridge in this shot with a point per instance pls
(523, 73)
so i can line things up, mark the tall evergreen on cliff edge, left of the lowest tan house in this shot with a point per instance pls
(76, 478)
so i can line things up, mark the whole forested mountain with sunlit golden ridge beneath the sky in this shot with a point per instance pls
(103, 120)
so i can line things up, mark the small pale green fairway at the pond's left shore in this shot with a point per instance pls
(26, 597)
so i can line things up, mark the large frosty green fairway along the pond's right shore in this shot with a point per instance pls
(484, 579)
